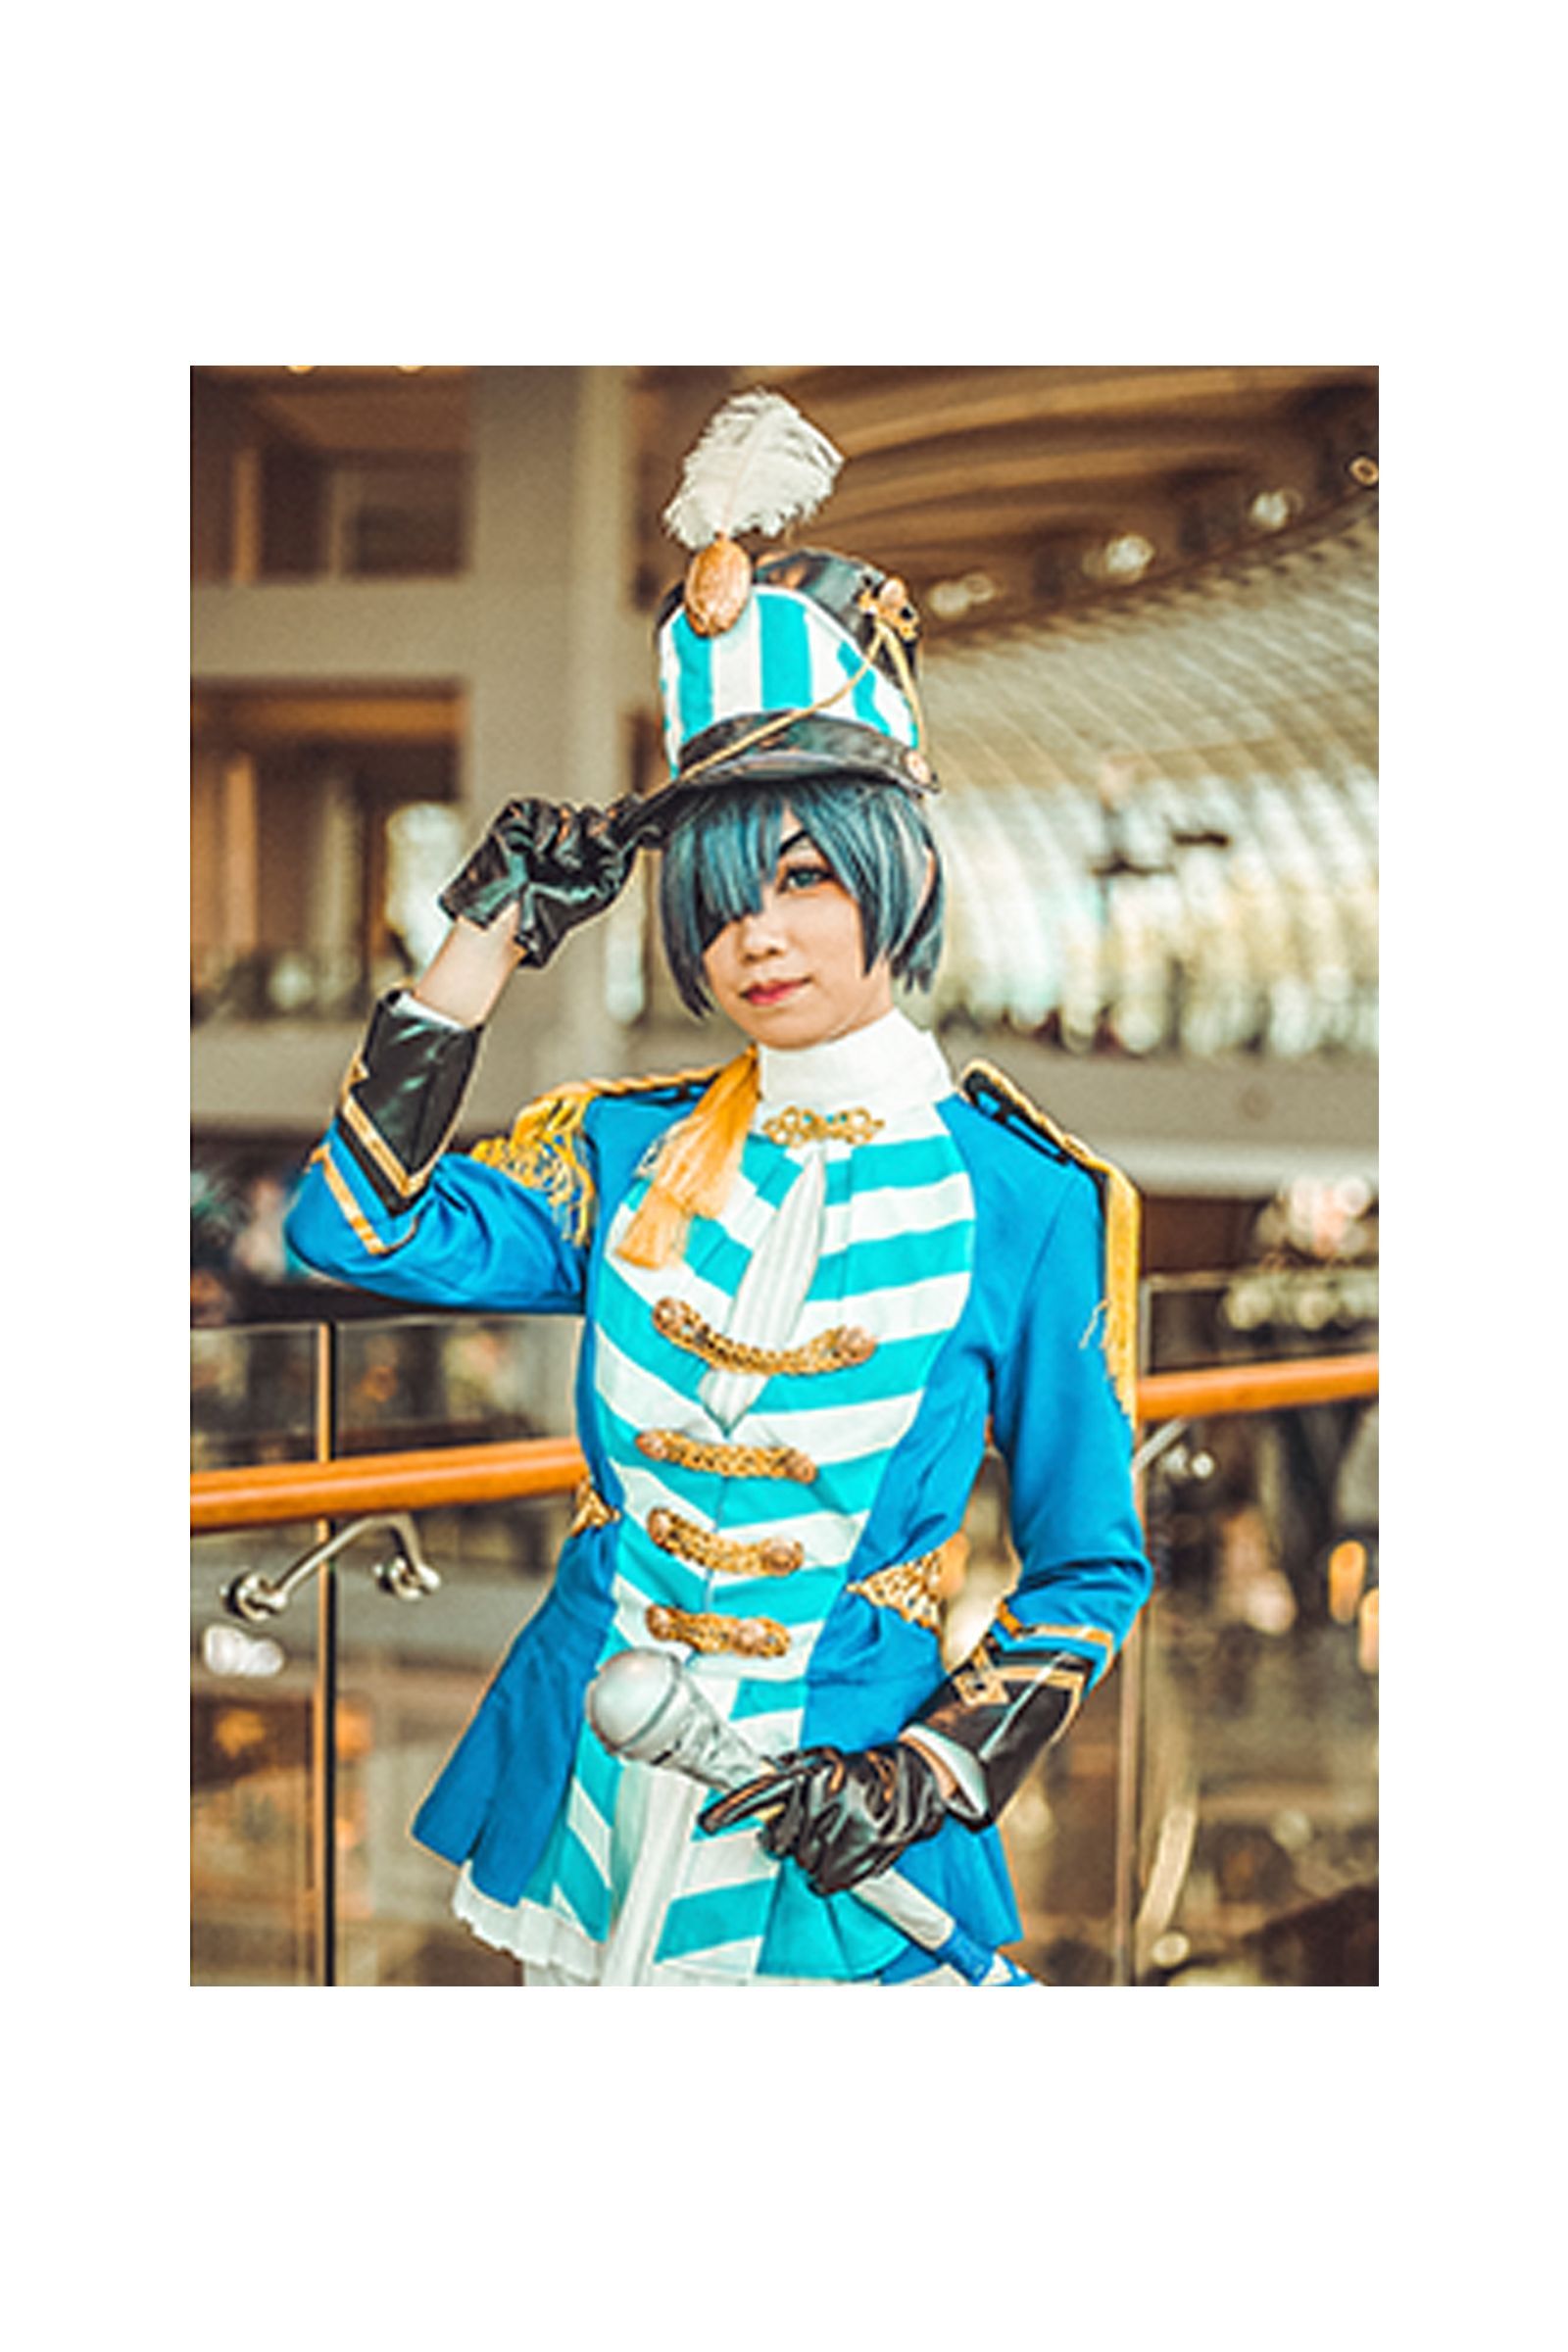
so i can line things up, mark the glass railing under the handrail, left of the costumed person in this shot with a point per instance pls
(408, 1681)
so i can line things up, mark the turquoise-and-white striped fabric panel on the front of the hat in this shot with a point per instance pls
(782, 655)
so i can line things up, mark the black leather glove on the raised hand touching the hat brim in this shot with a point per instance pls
(556, 862)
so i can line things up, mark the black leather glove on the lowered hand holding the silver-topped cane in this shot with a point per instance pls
(840, 1817)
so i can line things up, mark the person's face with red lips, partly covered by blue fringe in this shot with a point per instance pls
(793, 973)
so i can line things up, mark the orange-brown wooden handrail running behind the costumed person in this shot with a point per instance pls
(441, 1478)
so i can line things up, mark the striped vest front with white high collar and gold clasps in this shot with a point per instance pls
(746, 1490)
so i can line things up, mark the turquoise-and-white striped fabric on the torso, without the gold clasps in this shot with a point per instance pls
(892, 1255)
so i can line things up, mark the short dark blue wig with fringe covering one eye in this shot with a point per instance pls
(723, 853)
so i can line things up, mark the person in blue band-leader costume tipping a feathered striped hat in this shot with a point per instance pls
(815, 1285)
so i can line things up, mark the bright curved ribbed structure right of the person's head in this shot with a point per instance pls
(1160, 815)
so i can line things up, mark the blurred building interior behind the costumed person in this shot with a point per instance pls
(1151, 683)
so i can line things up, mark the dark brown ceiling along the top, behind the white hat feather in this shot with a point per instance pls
(991, 490)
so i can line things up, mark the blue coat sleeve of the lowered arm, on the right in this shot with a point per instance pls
(1068, 1448)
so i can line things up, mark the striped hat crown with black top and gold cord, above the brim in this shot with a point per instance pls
(815, 676)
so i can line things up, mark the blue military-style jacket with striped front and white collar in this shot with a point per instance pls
(782, 1429)
